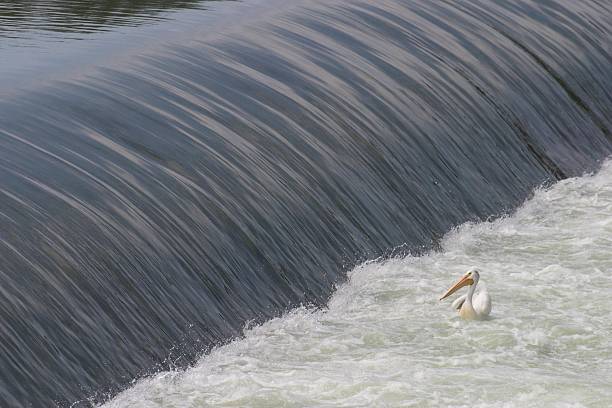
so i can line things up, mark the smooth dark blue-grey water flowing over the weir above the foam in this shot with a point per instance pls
(160, 188)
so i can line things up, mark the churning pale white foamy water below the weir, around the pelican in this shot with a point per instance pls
(386, 340)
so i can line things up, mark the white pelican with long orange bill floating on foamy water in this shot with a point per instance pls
(470, 307)
